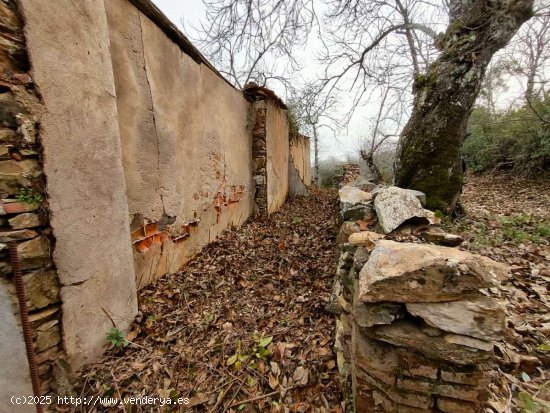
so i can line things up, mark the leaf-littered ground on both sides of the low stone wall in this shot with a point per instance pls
(243, 326)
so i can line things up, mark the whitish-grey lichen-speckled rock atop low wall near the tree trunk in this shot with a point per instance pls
(394, 206)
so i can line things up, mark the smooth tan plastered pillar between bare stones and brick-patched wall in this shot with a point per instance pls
(68, 45)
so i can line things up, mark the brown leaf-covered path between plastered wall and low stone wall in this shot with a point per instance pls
(243, 326)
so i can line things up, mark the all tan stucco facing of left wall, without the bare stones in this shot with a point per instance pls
(147, 156)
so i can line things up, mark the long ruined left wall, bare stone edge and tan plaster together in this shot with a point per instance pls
(137, 154)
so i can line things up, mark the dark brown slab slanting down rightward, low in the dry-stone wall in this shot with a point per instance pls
(404, 333)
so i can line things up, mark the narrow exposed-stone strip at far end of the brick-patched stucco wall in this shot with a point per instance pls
(259, 155)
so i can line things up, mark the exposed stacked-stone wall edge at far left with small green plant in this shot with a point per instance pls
(23, 216)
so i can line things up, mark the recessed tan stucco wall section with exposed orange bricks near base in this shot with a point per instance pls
(187, 152)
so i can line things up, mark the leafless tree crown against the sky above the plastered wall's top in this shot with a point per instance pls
(255, 40)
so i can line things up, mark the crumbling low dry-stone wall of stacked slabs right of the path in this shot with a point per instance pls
(414, 329)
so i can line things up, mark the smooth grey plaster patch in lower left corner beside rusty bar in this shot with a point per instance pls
(15, 380)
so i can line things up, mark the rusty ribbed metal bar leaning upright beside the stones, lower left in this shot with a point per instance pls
(25, 323)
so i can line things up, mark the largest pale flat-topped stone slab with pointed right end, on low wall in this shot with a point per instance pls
(413, 273)
